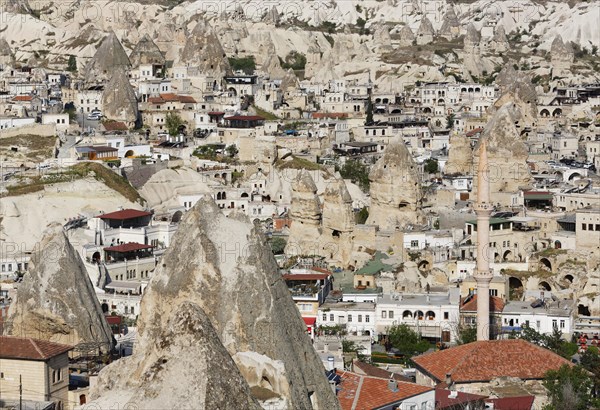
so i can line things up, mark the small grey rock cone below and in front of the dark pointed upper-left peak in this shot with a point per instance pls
(119, 102)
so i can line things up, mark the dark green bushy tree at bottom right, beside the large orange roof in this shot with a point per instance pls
(569, 388)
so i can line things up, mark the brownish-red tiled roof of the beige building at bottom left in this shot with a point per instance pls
(30, 349)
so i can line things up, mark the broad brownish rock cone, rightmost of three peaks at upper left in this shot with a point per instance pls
(203, 51)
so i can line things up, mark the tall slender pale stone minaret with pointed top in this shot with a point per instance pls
(483, 274)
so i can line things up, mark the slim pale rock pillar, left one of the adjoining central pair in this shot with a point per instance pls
(305, 215)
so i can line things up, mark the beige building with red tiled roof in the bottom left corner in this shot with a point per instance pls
(39, 367)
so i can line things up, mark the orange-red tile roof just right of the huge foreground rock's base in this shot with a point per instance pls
(373, 392)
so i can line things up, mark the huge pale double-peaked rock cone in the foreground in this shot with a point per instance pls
(217, 295)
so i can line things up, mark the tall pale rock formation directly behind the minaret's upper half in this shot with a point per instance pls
(507, 156)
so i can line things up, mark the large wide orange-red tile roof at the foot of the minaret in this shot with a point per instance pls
(486, 360)
